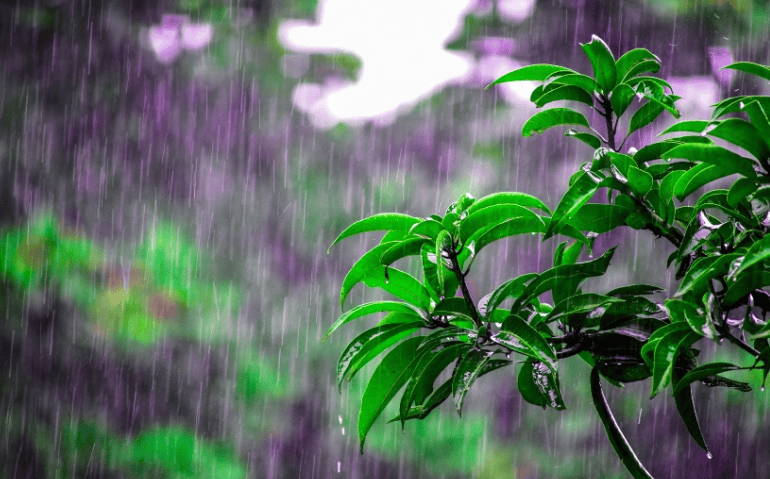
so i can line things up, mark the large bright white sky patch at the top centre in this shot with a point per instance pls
(401, 47)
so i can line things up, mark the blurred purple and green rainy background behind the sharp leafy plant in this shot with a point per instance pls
(165, 221)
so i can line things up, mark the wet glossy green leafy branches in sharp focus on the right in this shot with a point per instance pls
(722, 259)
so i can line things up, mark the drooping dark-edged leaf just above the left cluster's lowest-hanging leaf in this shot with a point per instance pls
(367, 345)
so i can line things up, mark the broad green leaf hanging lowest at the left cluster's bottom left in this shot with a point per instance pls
(389, 377)
